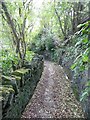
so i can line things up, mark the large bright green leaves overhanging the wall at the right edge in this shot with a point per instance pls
(82, 60)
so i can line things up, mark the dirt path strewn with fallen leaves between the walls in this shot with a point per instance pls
(53, 97)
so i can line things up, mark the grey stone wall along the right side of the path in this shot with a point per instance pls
(78, 85)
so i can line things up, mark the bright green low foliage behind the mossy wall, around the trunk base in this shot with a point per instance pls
(6, 58)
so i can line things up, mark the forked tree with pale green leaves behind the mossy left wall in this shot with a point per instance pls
(17, 24)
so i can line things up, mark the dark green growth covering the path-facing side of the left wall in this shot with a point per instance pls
(27, 90)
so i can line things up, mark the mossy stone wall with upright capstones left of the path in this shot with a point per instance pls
(25, 82)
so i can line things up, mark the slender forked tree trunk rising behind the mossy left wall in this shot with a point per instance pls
(19, 39)
